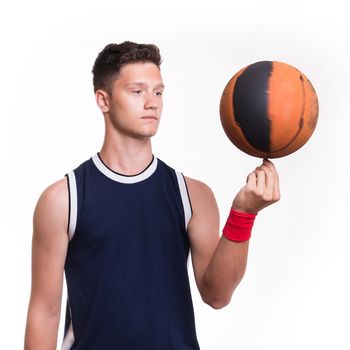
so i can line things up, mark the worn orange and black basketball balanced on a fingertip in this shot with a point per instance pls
(269, 109)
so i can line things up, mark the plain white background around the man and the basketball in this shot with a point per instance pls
(295, 294)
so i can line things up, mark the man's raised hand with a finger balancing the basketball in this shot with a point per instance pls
(261, 189)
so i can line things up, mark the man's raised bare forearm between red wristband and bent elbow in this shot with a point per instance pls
(224, 272)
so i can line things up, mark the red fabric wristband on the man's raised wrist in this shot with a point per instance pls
(238, 226)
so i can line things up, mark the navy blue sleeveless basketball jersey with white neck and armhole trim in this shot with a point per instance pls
(126, 264)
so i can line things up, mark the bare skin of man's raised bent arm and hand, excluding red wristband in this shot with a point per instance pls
(219, 263)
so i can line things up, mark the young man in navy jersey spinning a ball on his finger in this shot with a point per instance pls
(122, 223)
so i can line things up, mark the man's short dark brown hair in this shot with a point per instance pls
(111, 59)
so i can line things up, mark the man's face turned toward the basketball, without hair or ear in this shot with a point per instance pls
(136, 103)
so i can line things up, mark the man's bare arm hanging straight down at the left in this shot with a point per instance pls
(49, 249)
